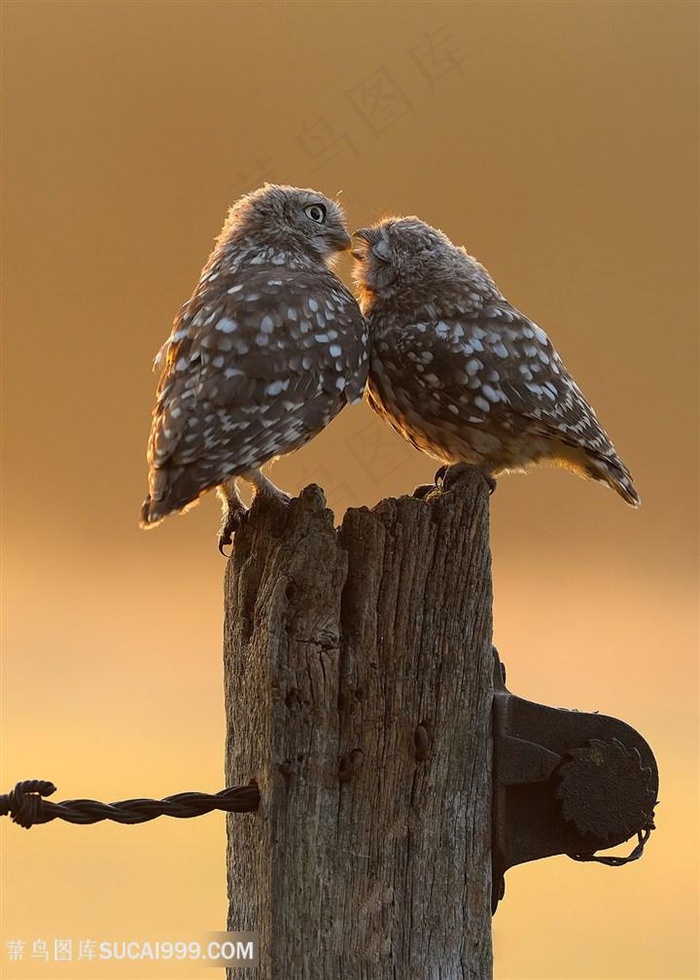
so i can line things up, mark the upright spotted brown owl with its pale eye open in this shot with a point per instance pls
(264, 354)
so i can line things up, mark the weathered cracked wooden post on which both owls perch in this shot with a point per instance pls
(358, 695)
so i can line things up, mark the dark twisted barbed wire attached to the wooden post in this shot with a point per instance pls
(26, 806)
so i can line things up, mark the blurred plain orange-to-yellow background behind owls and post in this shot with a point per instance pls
(559, 143)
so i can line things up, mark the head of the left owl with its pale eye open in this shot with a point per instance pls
(293, 219)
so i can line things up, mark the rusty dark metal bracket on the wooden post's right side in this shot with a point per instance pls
(565, 782)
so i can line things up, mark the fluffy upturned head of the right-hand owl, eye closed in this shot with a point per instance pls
(404, 260)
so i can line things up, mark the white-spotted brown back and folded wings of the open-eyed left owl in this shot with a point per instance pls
(257, 363)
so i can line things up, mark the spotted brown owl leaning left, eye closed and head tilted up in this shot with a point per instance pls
(462, 374)
